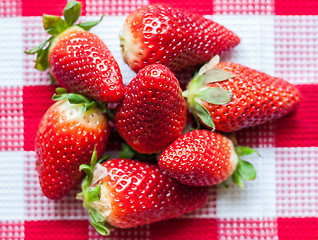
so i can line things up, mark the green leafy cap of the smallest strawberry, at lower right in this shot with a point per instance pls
(244, 170)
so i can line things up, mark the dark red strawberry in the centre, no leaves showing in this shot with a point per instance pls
(153, 111)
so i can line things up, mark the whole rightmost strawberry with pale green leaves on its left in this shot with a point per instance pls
(228, 96)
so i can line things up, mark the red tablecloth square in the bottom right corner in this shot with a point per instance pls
(297, 228)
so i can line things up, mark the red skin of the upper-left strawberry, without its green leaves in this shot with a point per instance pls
(82, 63)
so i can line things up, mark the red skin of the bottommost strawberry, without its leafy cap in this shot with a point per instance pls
(140, 194)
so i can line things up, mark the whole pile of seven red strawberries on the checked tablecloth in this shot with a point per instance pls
(177, 165)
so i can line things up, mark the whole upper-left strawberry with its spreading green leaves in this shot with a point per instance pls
(78, 60)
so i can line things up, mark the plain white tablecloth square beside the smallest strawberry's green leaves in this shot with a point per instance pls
(258, 198)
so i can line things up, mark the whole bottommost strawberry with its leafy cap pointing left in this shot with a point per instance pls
(125, 193)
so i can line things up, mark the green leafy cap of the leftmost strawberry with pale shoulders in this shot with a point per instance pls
(75, 98)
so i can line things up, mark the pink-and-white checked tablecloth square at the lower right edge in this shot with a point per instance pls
(297, 182)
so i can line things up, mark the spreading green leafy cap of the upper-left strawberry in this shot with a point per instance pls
(55, 25)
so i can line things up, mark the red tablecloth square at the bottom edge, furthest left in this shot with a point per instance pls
(61, 230)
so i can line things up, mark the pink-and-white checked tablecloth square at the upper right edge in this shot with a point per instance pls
(296, 52)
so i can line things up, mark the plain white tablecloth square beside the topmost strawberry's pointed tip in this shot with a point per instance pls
(256, 49)
